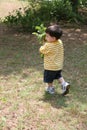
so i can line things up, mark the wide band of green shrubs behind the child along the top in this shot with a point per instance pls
(43, 11)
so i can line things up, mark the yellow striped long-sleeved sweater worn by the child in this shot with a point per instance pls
(53, 55)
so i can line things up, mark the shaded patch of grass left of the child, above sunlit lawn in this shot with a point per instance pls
(18, 51)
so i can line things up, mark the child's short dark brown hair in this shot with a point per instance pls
(54, 31)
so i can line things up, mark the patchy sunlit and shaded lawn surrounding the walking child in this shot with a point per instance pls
(23, 103)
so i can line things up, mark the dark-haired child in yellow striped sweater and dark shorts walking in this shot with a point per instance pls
(53, 59)
